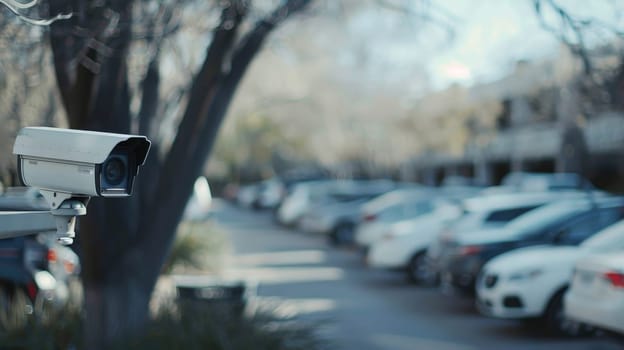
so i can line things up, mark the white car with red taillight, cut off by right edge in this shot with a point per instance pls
(596, 294)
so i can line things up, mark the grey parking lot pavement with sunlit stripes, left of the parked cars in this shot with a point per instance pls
(300, 276)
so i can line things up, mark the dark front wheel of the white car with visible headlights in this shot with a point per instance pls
(558, 324)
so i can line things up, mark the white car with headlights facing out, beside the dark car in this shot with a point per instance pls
(530, 282)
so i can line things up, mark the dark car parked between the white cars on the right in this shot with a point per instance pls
(560, 223)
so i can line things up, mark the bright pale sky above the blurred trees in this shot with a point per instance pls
(490, 37)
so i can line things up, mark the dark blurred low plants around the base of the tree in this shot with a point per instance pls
(187, 325)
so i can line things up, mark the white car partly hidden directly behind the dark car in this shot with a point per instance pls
(481, 213)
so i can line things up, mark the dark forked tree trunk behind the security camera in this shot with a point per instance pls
(124, 242)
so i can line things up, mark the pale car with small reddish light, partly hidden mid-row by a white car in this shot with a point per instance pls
(380, 213)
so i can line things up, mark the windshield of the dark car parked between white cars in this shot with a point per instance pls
(537, 219)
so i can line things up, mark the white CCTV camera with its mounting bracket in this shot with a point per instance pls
(70, 166)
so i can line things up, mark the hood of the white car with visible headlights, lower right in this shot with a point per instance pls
(536, 257)
